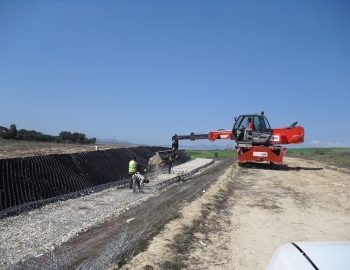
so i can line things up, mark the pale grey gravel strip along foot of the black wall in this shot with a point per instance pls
(37, 231)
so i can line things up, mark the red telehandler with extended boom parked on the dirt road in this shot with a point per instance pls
(258, 143)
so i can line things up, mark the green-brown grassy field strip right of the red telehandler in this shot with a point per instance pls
(333, 155)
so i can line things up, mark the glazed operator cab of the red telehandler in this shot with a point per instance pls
(259, 134)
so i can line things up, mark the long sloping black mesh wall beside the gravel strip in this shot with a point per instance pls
(33, 181)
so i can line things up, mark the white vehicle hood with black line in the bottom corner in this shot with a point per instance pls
(311, 256)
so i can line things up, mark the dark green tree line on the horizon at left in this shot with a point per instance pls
(32, 135)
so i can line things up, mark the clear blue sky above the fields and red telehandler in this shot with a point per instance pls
(141, 71)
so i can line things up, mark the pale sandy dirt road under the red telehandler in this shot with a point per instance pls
(267, 207)
